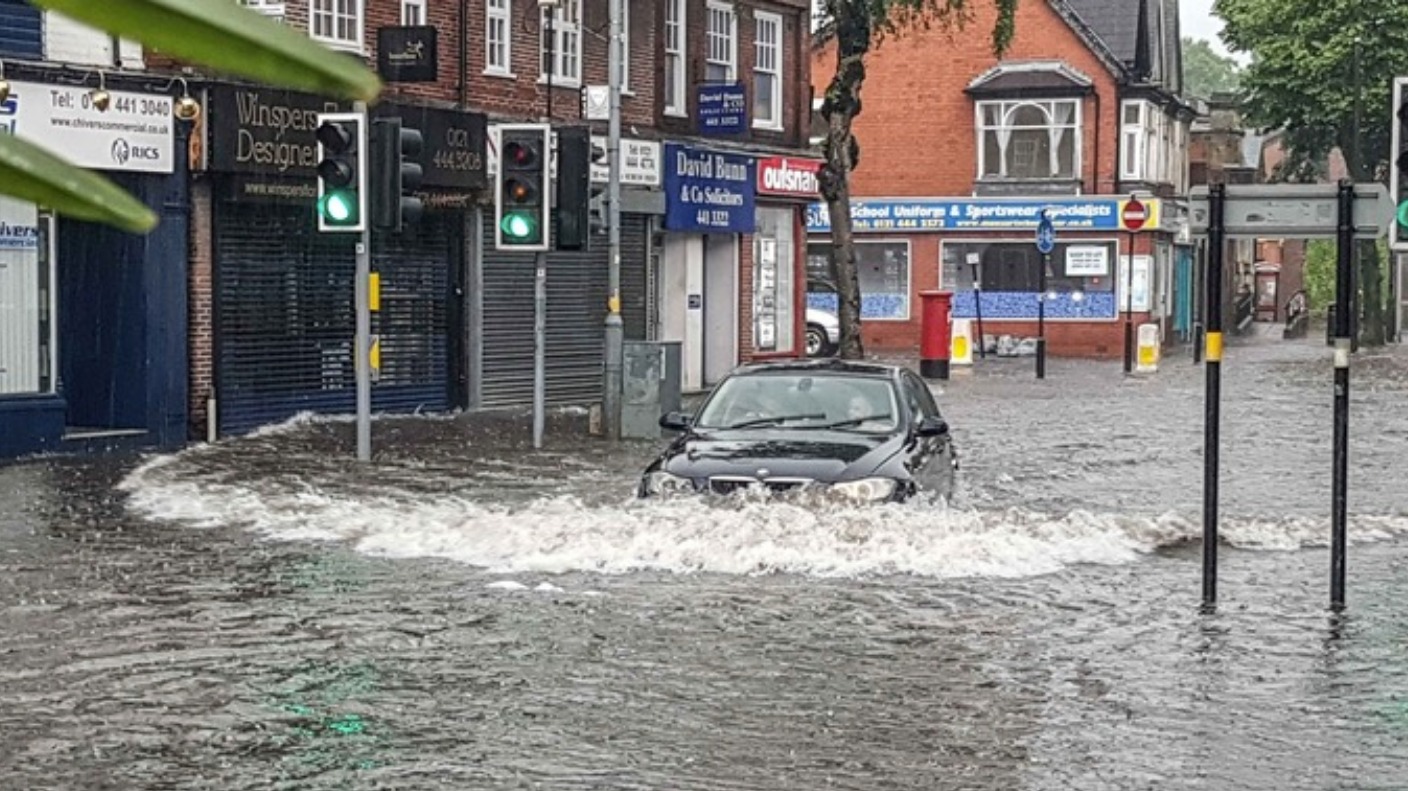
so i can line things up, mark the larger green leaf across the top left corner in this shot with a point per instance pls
(232, 39)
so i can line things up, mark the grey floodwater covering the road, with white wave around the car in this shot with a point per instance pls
(470, 614)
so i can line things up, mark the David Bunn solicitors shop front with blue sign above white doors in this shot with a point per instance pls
(710, 210)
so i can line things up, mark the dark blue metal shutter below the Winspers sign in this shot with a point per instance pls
(285, 320)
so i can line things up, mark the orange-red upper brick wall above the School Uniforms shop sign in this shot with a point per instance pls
(917, 127)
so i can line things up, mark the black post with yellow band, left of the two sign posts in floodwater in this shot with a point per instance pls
(1213, 416)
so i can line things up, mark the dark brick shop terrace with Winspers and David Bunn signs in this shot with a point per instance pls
(715, 105)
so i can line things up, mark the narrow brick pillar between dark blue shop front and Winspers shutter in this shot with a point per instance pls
(201, 298)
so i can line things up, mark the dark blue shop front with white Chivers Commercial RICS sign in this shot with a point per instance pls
(92, 319)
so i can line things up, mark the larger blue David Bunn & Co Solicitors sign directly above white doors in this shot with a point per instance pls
(709, 192)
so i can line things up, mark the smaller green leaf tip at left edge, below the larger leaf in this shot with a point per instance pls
(33, 174)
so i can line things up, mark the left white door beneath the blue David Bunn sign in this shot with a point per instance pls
(682, 305)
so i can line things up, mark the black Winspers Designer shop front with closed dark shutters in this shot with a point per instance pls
(284, 313)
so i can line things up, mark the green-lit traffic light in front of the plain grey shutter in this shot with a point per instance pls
(520, 194)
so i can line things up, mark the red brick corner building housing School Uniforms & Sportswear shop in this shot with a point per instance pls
(961, 153)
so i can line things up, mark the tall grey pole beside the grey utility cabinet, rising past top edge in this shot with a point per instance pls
(615, 329)
